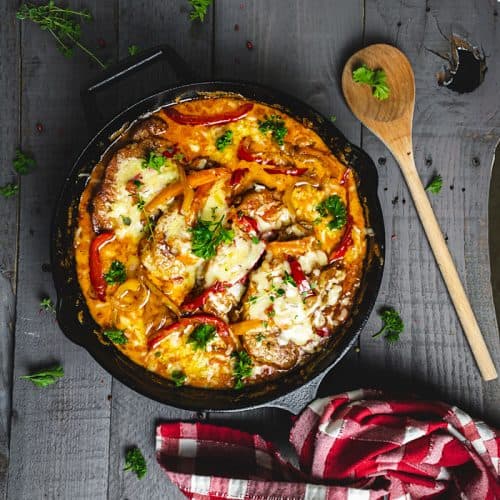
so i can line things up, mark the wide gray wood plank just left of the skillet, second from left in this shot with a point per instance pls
(60, 435)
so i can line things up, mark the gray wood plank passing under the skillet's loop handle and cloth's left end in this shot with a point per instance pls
(134, 417)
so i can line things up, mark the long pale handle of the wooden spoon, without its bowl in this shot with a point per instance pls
(404, 156)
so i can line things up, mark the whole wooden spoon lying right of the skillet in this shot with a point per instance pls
(391, 121)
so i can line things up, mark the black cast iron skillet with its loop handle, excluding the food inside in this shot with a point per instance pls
(297, 387)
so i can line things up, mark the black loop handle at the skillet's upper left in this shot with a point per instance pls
(124, 68)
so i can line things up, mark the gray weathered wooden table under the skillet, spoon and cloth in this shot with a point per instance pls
(68, 441)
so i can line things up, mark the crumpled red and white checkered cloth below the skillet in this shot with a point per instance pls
(355, 446)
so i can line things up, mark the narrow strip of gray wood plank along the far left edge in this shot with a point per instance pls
(9, 137)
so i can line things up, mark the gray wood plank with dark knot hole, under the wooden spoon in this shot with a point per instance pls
(452, 133)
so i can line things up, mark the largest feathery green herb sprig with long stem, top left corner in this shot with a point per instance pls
(62, 23)
